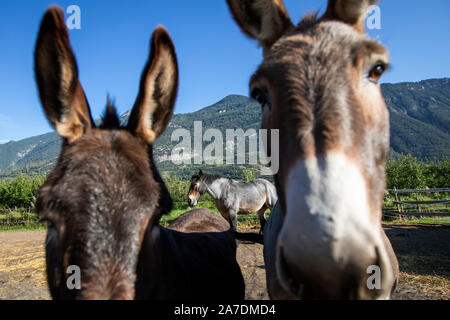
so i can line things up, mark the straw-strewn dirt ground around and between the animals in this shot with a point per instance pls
(423, 253)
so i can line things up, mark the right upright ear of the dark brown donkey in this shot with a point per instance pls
(154, 105)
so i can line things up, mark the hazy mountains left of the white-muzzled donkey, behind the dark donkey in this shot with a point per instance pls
(38, 155)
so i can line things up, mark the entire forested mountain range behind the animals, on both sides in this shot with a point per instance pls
(420, 125)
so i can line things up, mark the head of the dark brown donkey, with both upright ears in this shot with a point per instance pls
(105, 190)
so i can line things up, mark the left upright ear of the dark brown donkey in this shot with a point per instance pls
(60, 91)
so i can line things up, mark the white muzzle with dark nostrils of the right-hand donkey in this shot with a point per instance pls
(330, 245)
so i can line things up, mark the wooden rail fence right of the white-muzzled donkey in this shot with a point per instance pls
(405, 203)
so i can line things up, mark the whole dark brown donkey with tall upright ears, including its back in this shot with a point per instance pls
(104, 199)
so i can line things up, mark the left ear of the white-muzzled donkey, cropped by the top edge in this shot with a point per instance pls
(263, 20)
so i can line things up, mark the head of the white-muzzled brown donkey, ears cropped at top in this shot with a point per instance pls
(318, 84)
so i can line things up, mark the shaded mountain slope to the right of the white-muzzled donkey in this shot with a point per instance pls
(420, 117)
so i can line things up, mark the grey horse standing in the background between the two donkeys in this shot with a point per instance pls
(234, 197)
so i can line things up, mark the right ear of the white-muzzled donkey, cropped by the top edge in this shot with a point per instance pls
(352, 12)
